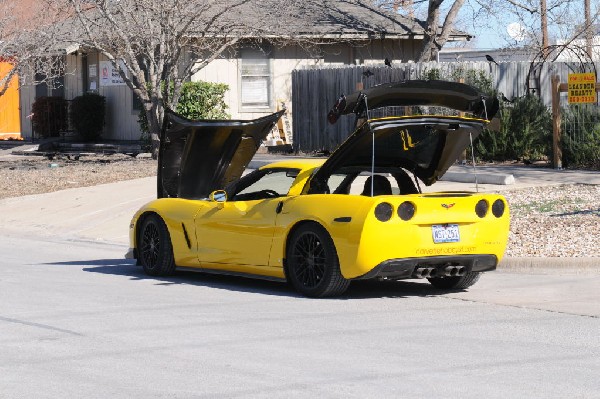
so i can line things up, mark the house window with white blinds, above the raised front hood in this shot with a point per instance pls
(255, 80)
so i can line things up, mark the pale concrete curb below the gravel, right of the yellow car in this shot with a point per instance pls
(532, 264)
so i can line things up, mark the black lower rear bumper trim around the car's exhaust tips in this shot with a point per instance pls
(406, 268)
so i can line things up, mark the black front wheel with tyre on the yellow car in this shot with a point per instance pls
(154, 247)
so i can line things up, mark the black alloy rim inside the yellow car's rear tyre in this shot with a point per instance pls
(309, 260)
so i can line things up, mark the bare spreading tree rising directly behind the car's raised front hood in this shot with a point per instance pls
(156, 45)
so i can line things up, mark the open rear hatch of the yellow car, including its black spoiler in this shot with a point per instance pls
(426, 145)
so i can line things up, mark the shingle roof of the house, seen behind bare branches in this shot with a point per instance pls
(310, 19)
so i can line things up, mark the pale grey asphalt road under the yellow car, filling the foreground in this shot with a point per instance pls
(76, 320)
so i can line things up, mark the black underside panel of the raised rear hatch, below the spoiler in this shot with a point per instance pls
(424, 145)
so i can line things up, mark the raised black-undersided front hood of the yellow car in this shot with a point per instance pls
(198, 157)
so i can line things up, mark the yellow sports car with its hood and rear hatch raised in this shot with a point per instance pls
(320, 224)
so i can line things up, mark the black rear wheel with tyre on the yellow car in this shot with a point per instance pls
(312, 264)
